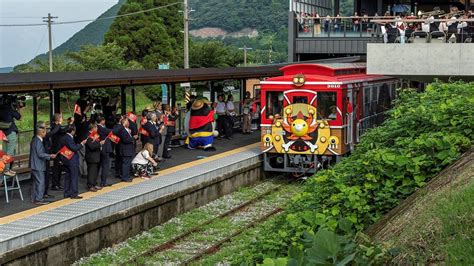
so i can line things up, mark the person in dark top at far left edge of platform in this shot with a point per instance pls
(9, 112)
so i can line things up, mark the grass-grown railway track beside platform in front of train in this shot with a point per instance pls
(193, 254)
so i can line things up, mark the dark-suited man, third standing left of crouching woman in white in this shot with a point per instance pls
(93, 147)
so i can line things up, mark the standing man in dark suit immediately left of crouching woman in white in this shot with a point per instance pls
(127, 149)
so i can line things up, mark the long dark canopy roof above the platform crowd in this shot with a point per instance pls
(29, 82)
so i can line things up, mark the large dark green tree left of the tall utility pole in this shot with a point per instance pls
(151, 38)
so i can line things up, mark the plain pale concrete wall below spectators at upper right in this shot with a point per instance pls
(421, 59)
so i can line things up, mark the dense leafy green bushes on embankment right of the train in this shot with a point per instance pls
(425, 132)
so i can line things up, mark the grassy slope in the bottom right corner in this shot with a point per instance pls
(443, 232)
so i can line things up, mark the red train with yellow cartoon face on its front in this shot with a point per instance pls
(315, 113)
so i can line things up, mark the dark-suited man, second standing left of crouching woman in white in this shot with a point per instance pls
(106, 152)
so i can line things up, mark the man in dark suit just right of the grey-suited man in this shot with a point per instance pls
(71, 180)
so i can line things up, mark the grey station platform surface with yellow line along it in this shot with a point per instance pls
(184, 170)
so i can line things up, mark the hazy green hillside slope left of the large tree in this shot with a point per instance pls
(92, 34)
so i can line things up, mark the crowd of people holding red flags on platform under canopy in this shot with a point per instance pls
(86, 145)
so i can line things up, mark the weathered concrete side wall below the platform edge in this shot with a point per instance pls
(89, 238)
